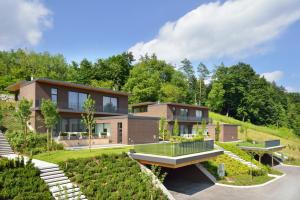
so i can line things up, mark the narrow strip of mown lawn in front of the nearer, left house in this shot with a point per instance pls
(63, 155)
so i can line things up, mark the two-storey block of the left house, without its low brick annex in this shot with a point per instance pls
(69, 98)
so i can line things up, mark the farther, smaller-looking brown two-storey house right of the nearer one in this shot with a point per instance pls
(187, 115)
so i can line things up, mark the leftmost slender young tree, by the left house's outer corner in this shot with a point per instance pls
(23, 112)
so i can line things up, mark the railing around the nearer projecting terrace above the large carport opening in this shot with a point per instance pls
(175, 149)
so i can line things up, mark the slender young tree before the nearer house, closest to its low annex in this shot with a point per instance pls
(88, 118)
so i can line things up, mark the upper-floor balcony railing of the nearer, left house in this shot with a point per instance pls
(77, 108)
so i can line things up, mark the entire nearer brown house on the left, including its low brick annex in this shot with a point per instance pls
(69, 98)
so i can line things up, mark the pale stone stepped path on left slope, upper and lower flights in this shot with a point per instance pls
(59, 185)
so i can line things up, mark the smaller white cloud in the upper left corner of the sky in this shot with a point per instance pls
(22, 23)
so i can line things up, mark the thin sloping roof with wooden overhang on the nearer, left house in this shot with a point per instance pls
(16, 86)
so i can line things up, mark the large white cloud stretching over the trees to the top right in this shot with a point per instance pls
(234, 28)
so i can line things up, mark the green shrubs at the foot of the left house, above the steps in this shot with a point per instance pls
(36, 143)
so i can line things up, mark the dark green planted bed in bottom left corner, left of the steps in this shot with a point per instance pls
(21, 182)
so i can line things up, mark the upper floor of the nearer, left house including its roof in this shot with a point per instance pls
(69, 97)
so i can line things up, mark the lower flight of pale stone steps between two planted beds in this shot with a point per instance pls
(60, 186)
